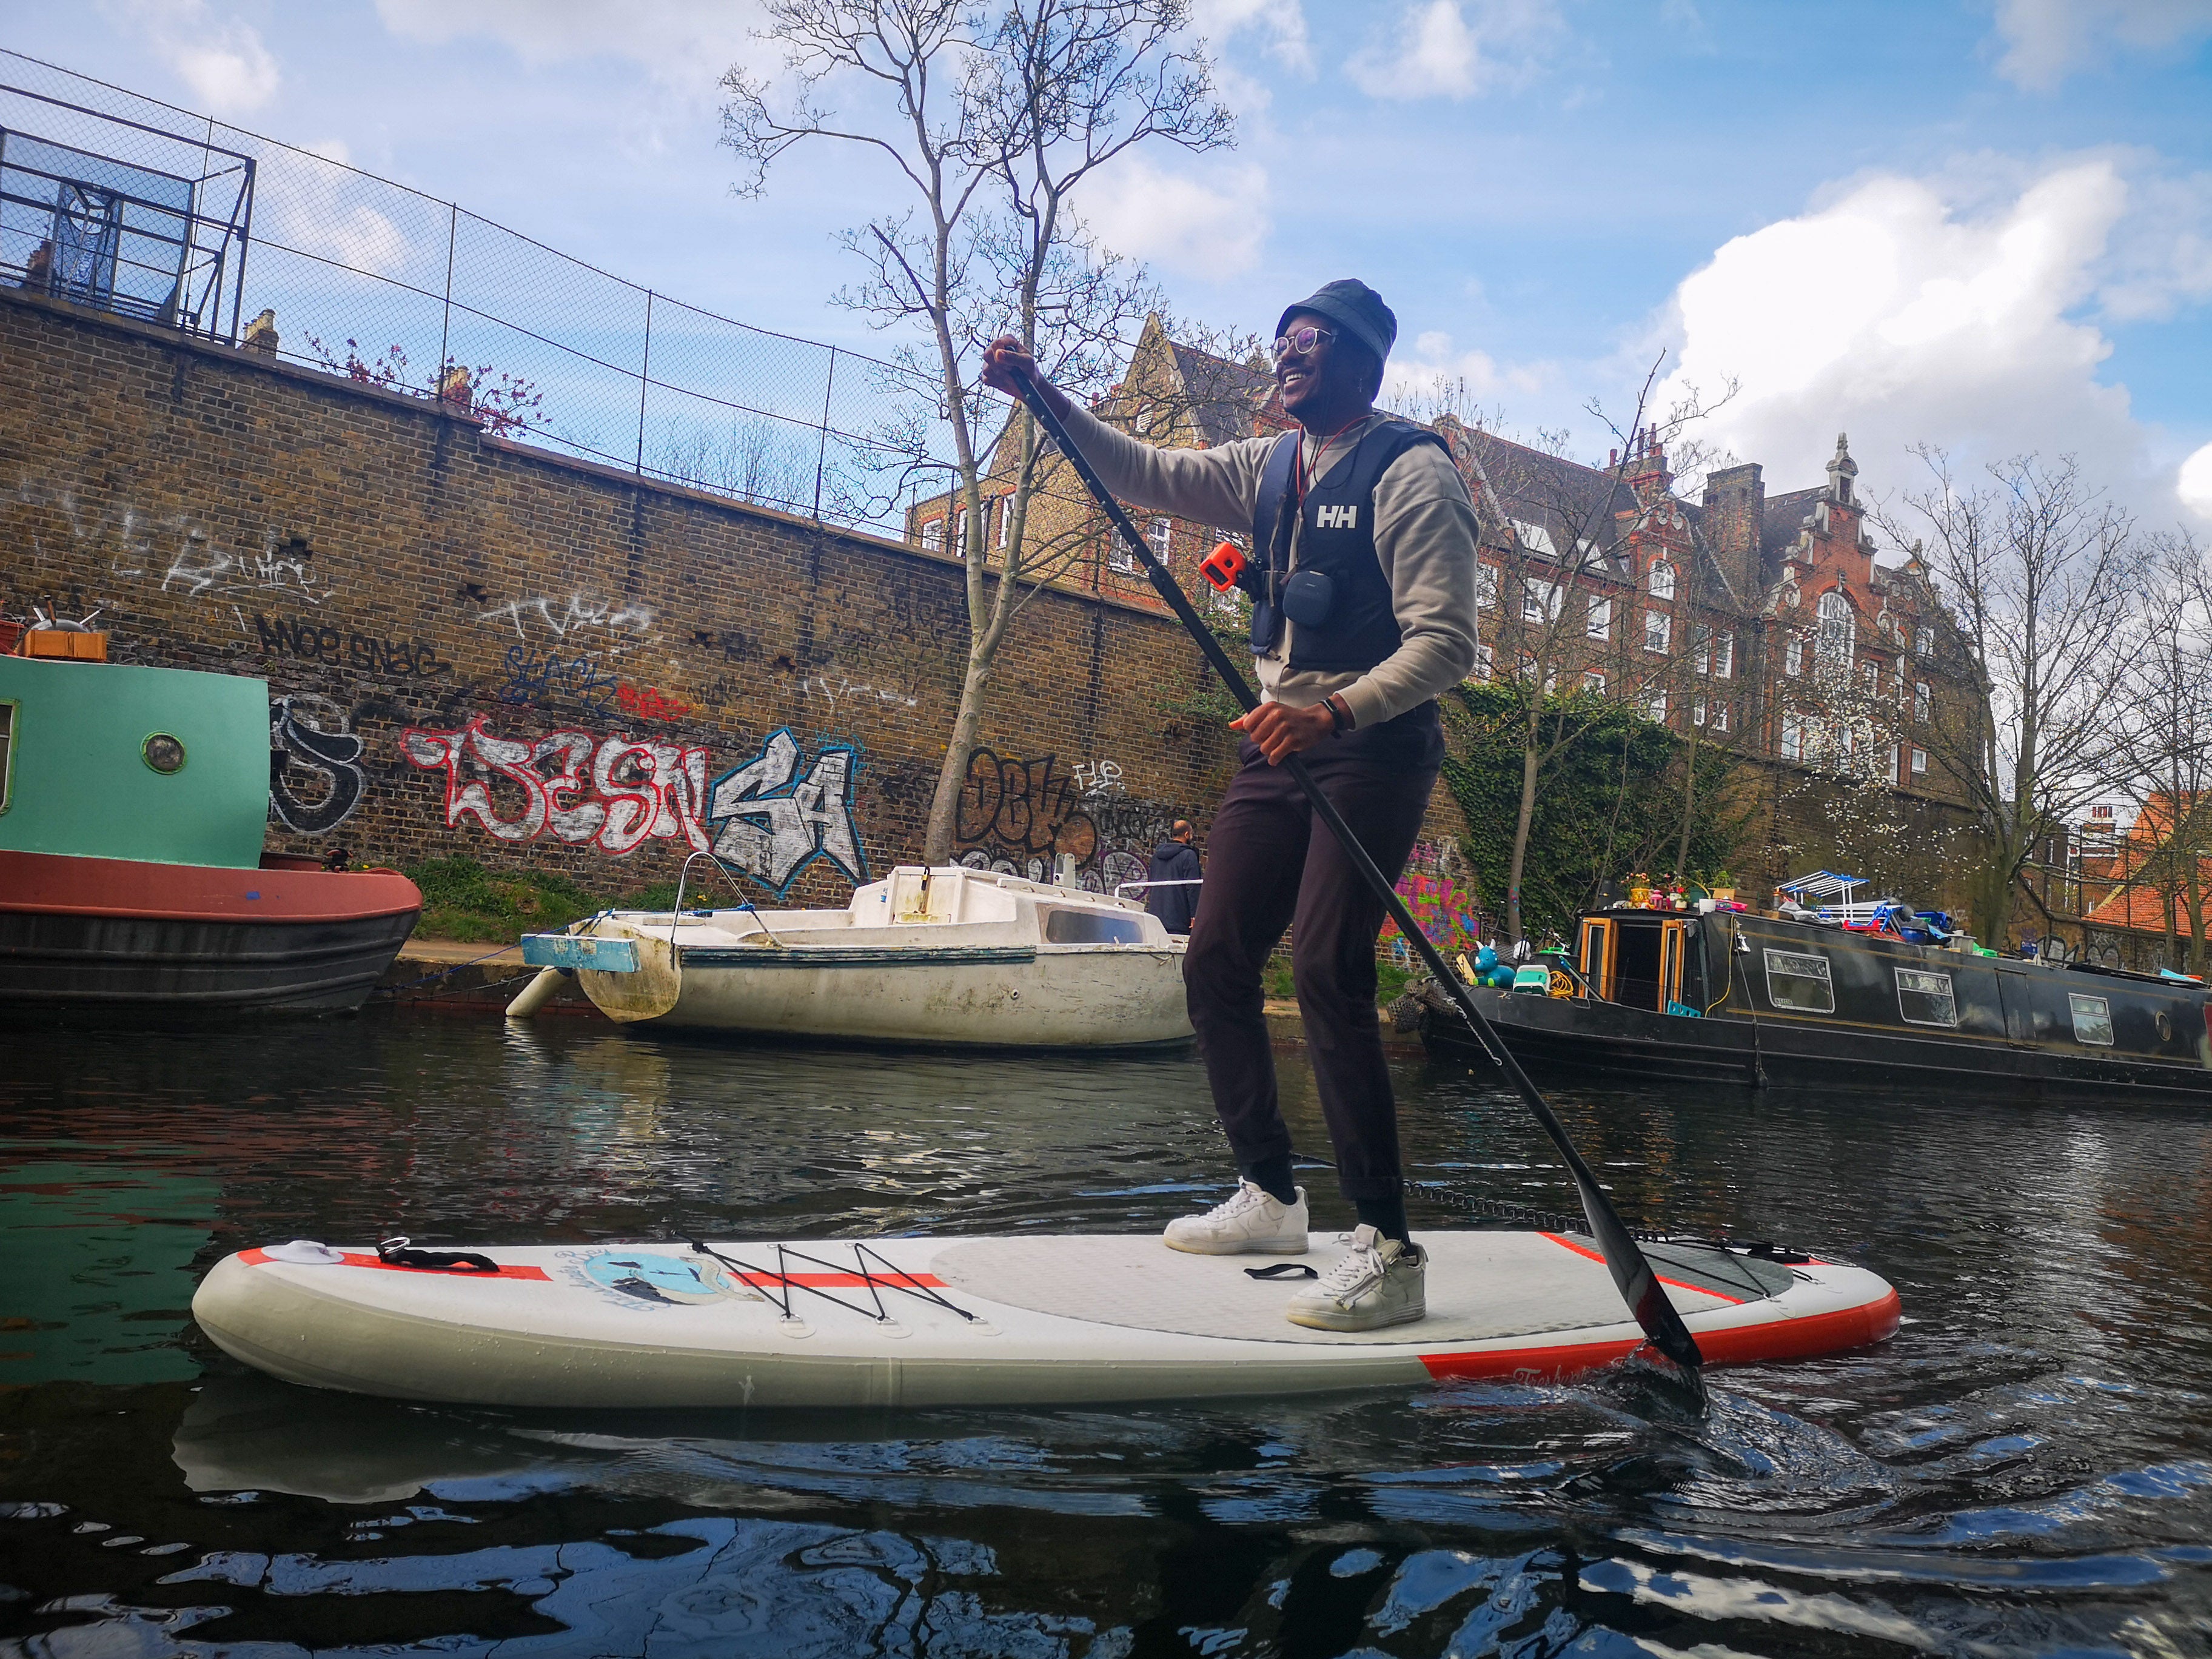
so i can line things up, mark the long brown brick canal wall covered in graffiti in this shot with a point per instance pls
(481, 649)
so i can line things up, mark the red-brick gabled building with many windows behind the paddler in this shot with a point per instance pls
(1757, 623)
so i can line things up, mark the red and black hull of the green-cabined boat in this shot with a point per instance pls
(114, 937)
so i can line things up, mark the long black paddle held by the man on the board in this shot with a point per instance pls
(1634, 1275)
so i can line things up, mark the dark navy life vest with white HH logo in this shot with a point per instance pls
(1337, 541)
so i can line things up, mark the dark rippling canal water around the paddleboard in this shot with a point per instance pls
(2027, 1468)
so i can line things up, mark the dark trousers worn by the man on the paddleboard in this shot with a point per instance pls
(1269, 866)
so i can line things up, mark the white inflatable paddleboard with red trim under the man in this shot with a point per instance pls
(977, 1322)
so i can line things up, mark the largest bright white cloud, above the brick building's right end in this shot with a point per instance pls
(1932, 311)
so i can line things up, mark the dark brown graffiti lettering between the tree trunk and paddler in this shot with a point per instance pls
(1021, 817)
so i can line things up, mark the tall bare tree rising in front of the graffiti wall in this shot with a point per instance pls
(992, 116)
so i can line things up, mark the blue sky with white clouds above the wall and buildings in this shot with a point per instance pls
(1983, 225)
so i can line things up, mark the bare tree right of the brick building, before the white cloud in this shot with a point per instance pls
(2038, 574)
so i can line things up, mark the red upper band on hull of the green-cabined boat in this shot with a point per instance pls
(48, 884)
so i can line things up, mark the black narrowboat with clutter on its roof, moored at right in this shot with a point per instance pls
(1751, 999)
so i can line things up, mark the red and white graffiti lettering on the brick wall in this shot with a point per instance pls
(612, 793)
